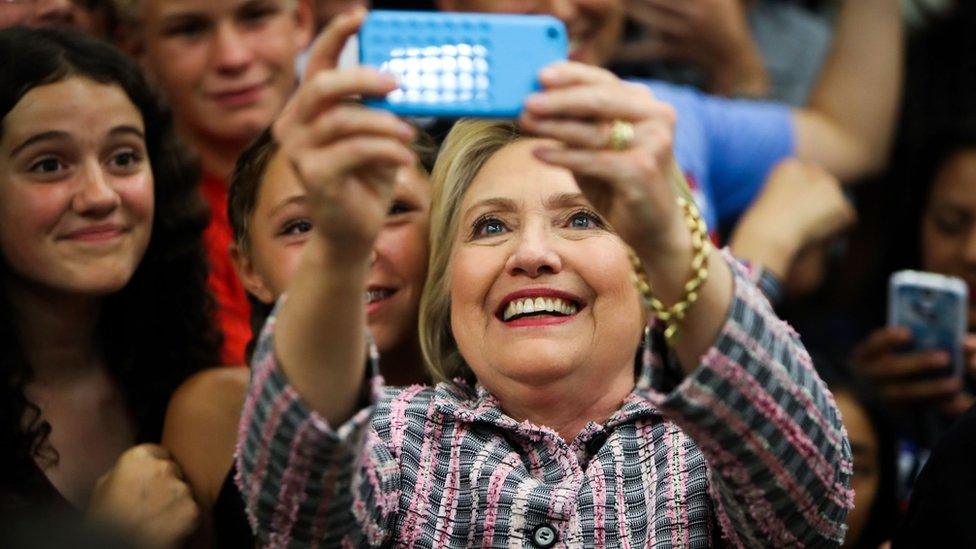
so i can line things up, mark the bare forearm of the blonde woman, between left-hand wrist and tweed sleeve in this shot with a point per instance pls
(320, 337)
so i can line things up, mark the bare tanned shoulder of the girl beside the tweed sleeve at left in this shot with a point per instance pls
(201, 426)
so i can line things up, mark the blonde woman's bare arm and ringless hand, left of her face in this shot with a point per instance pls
(346, 156)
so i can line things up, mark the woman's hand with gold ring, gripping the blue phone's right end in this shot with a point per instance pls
(633, 187)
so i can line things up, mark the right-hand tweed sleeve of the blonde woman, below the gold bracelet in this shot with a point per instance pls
(755, 398)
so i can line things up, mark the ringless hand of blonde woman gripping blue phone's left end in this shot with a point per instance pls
(345, 155)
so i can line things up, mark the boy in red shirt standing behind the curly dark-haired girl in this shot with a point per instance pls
(226, 68)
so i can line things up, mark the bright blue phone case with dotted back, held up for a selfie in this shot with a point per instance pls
(460, 64)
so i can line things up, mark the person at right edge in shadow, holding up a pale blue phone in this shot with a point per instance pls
(938, 235)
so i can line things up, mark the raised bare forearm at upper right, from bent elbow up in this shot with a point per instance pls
(848, 124)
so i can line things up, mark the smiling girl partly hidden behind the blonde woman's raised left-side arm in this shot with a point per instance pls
(269, 213)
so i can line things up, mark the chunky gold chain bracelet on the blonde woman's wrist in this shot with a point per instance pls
(701, 246)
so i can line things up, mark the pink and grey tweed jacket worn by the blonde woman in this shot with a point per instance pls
(748, 450)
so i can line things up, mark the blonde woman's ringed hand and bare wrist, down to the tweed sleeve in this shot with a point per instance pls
(631, 178)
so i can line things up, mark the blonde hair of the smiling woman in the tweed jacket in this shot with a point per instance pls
(465, 150)
